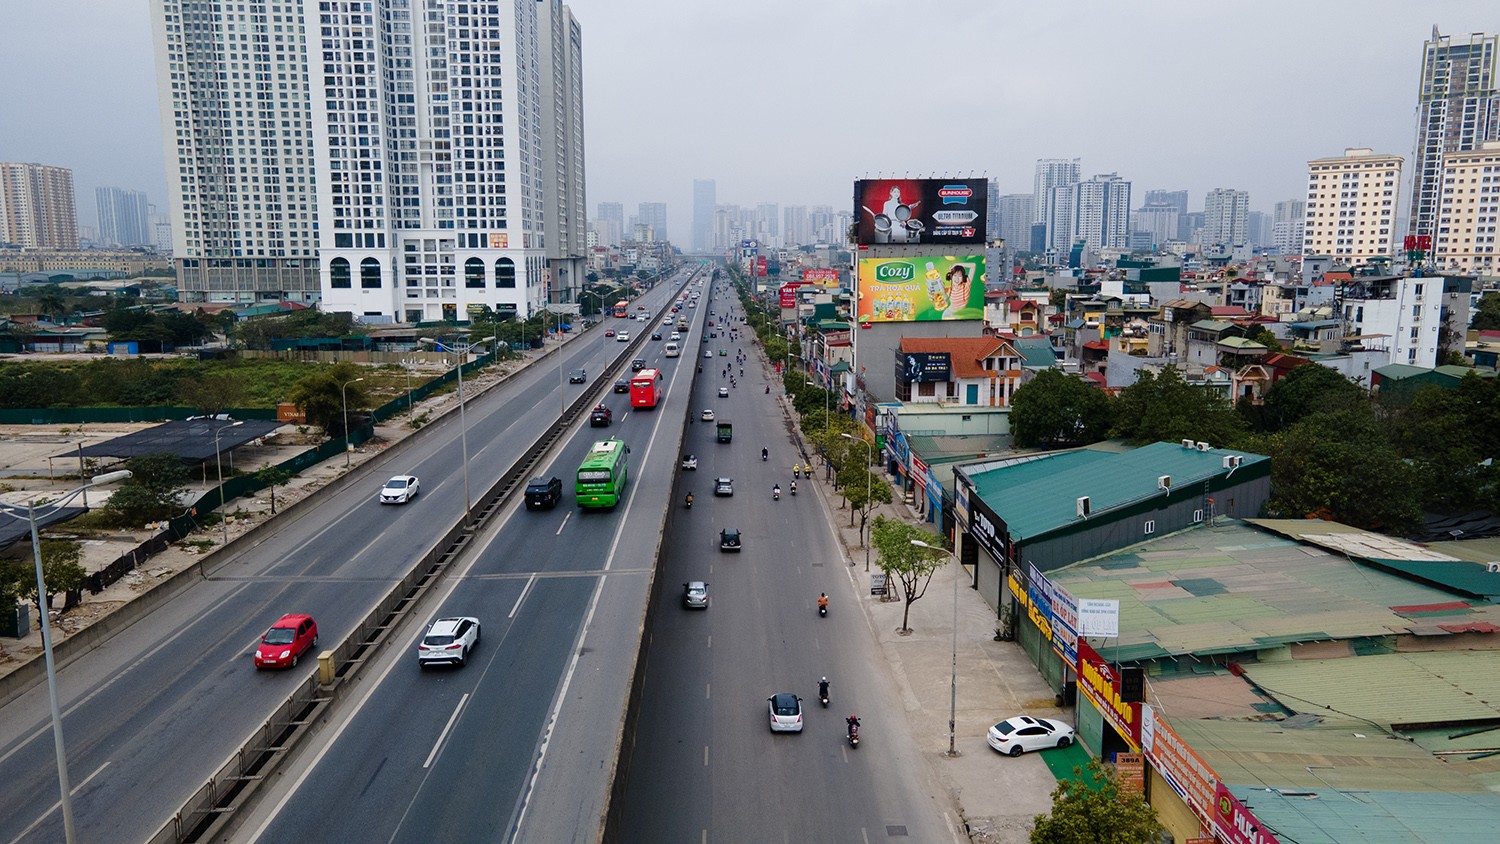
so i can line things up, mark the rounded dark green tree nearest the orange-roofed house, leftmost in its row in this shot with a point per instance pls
(1058, 410)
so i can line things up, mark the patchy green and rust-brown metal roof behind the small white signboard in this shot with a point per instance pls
(1240, 588)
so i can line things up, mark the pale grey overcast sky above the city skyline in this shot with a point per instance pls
(790, 101)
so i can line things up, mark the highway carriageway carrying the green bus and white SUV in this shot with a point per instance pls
(517, 744)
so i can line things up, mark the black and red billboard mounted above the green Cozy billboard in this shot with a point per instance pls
(920, 211)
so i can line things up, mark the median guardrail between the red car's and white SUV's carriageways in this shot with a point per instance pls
(212, 807)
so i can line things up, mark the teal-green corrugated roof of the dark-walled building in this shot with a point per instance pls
(1042, 495)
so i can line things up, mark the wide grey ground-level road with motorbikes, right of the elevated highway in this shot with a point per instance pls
(706, 765)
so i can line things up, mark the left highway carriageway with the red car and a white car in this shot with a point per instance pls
(151, 714)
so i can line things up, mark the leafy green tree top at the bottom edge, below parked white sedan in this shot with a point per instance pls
(1094, 812)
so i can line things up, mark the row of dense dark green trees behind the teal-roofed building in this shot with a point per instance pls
(1373, 462)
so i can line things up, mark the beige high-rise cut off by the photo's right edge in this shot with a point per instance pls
(1468, 209)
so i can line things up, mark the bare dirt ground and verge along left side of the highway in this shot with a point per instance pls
(41, 462)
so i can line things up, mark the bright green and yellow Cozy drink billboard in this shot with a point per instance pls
(928, 287)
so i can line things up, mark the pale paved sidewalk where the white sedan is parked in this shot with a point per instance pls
(998, 797)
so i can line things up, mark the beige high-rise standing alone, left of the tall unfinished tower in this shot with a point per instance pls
(1352, 206)
